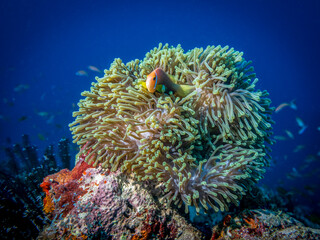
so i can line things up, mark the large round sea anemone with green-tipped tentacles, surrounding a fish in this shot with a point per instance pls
(207, 147)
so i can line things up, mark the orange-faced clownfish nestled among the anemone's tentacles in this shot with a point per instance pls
(160, 81)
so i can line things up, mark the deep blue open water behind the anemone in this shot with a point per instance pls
(44, 43)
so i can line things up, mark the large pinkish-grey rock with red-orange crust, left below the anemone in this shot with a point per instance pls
(108, 206)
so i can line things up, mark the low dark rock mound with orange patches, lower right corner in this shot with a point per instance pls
(262, 224)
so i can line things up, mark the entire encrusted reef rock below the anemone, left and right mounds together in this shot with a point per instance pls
(109, 205)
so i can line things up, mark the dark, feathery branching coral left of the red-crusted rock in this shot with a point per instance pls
(20, 196)
